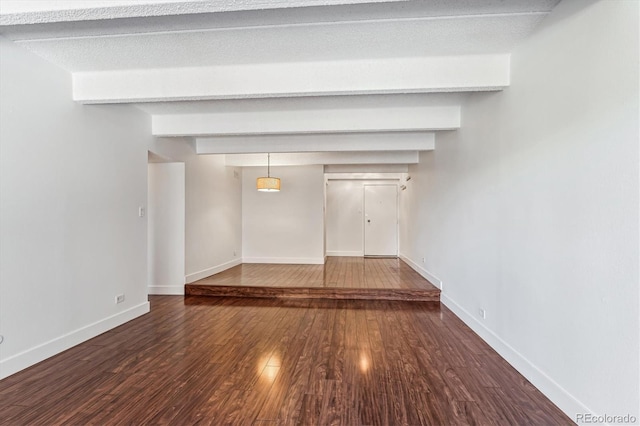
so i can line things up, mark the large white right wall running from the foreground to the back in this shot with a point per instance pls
(530, 210)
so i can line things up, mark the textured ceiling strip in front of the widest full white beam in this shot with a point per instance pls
(406, 37)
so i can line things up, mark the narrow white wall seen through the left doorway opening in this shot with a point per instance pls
(166, 228)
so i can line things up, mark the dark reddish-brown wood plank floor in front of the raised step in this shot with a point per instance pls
(234, 361)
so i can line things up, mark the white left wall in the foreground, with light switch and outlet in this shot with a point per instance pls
(72, 179)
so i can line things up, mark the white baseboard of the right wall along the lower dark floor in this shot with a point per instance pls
(552, 390)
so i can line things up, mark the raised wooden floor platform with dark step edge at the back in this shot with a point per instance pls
(340, 278)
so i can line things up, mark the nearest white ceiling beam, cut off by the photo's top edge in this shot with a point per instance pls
(240, 13)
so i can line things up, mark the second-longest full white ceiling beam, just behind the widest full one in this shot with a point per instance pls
(390, 119)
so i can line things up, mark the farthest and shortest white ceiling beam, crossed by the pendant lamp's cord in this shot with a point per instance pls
(303, 159)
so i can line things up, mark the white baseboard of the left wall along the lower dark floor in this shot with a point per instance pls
(48, 349)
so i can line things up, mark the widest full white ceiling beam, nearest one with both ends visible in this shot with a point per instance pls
(349, 77)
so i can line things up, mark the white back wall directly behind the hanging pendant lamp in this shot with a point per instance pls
(285, 226)
